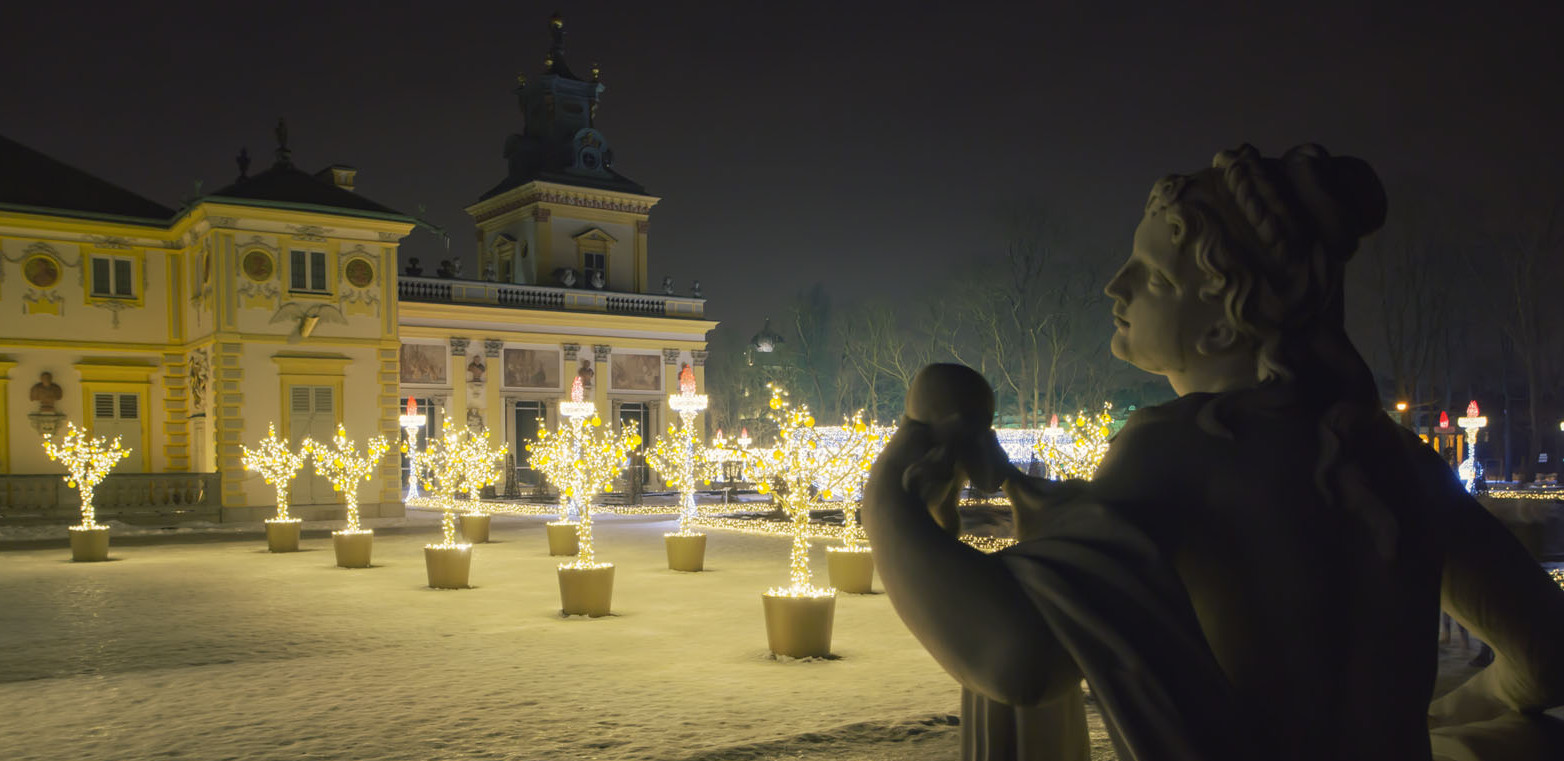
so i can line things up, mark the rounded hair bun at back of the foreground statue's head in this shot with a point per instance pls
(1343, 195)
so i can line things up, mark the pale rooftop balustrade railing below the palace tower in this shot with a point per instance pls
(547, 298)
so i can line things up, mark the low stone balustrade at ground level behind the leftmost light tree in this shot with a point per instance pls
(127, 498)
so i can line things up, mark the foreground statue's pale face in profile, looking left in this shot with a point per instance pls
(1158, 312)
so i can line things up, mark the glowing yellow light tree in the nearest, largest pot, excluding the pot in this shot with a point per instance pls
(808, 470)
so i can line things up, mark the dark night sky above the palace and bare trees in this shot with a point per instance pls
(864, 146)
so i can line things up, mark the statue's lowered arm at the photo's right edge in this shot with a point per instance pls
(1494, 588)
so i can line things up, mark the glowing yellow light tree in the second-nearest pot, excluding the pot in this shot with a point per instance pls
(581, 459)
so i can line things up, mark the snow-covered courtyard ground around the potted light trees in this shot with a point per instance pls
(201, 645)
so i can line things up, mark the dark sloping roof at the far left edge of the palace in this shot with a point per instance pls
(30, 179)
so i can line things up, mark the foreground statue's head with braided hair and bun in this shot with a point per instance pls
(1238, 270)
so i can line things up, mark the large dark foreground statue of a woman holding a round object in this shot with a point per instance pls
(1257, 570)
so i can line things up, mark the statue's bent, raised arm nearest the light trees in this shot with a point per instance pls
(966, 607)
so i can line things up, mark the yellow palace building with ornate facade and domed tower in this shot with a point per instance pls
(278, 301)
